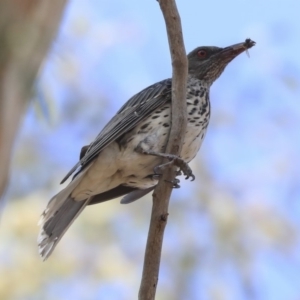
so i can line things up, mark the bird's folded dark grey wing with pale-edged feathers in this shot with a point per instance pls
(131, 113)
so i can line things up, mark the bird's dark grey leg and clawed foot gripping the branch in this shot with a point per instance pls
(173, 159)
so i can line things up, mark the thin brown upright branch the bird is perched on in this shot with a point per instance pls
(162, 192)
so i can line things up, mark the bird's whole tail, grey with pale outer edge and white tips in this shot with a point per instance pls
(60, 213)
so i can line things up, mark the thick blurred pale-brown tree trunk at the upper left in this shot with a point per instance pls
(27, 28)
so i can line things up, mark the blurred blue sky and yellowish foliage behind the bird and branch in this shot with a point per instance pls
(234, 232)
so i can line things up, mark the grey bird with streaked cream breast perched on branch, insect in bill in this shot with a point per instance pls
(126, 156)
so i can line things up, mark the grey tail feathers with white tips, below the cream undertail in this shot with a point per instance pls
(55, 226)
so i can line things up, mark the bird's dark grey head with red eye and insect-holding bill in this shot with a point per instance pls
(208, 63)
